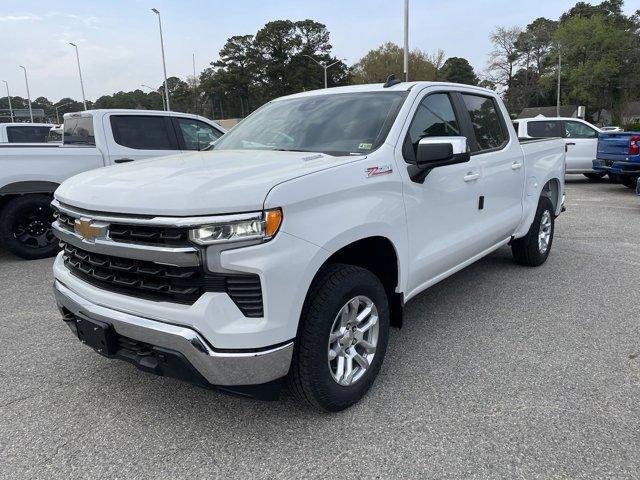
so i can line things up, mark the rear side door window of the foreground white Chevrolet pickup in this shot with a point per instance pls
(488, 125)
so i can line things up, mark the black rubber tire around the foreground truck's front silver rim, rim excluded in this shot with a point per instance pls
(310, 378)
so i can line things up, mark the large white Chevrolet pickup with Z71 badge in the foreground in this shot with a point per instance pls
(290, 248)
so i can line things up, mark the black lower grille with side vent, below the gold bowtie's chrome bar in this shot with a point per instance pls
(162, 282)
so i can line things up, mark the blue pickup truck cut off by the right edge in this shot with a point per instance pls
(619, 156)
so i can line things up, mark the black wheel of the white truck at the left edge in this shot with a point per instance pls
(25, 227)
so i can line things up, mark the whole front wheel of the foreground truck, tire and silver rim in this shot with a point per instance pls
(342, 338)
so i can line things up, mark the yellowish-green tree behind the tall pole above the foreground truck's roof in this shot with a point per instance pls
(388, 59)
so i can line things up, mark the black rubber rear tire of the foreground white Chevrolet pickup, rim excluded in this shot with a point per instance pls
(526, 250)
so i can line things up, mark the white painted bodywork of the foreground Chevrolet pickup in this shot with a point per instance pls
(436, 228)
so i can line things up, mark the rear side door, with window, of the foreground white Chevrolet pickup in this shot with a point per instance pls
(502, 169)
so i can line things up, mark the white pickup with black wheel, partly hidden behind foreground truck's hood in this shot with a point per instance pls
(30, 173)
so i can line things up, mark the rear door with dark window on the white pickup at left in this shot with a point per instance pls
(137, 136)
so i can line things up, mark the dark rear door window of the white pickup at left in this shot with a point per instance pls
(143, 132)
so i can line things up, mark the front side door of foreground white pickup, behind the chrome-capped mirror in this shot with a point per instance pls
(442, 211)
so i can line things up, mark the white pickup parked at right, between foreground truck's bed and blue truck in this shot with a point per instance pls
(580, 138)
